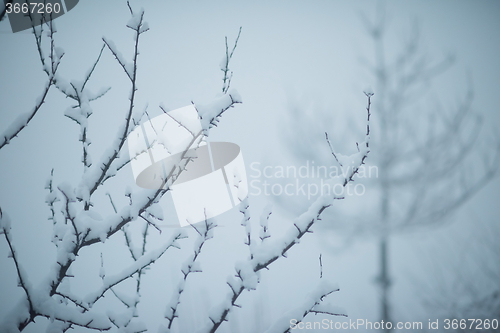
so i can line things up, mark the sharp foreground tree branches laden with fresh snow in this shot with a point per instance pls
(82, 225)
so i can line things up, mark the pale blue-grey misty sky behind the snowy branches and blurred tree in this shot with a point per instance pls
(310, 57)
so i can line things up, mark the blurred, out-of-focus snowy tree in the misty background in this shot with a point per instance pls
(429, 157)
